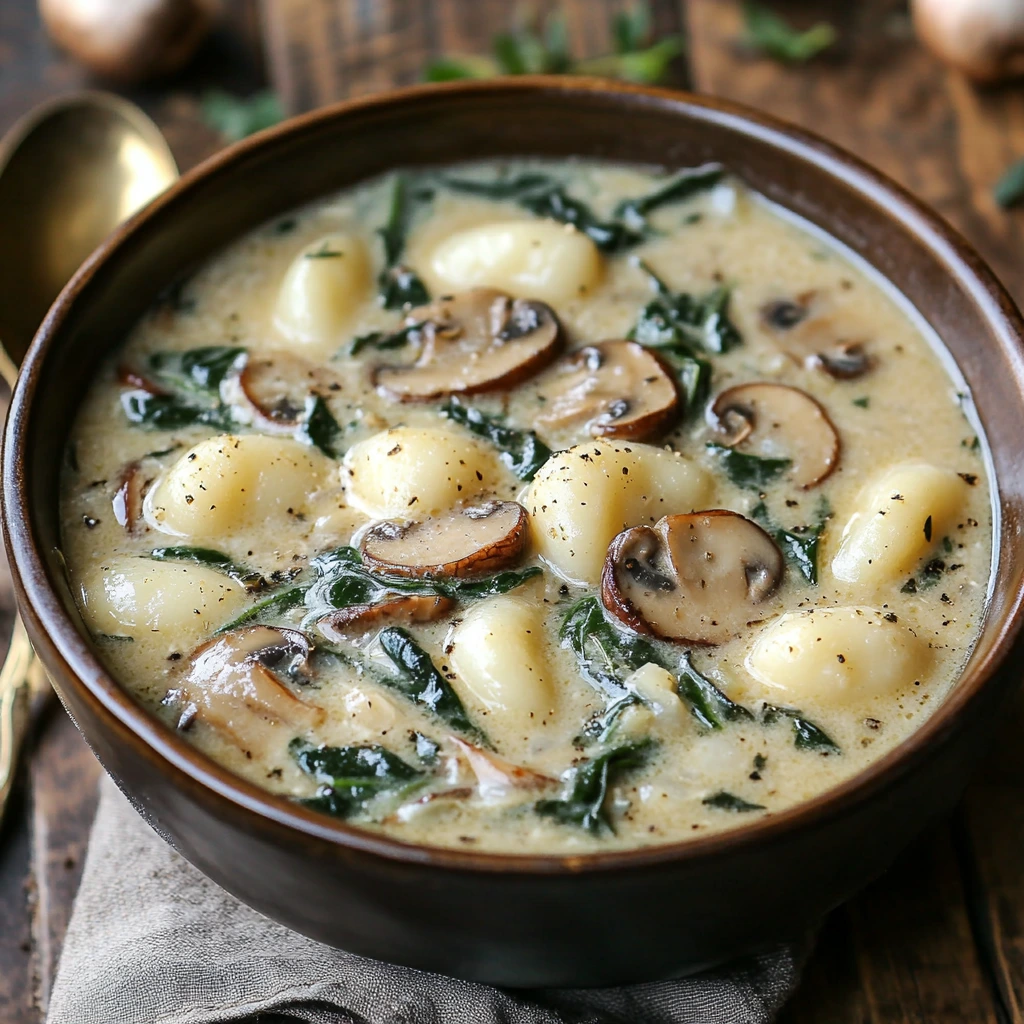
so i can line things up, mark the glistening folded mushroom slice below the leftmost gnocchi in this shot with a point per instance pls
(233, 684)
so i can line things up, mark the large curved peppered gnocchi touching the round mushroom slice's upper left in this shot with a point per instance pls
(583, 497)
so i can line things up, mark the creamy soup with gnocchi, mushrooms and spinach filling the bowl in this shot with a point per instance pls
(533, 508)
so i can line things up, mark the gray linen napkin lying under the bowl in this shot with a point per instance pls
(154, 941)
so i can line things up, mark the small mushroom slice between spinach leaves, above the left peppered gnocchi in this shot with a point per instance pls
(276, 387)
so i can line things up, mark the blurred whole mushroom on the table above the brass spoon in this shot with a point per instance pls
(130, 40)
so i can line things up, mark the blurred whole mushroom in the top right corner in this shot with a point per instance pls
(985, 39)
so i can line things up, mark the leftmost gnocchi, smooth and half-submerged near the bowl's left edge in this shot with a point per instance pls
(165, 603)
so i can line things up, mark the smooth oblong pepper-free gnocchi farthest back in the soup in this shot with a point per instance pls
(534, 260)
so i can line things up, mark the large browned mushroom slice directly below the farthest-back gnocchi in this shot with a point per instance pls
(481, 340)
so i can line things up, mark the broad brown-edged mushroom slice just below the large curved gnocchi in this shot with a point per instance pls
(698, 578)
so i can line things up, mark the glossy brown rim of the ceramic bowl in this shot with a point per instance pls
(41, 603)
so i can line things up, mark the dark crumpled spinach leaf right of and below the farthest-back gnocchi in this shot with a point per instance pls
(674, 318)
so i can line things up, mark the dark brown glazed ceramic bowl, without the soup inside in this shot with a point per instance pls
(517, 921)
